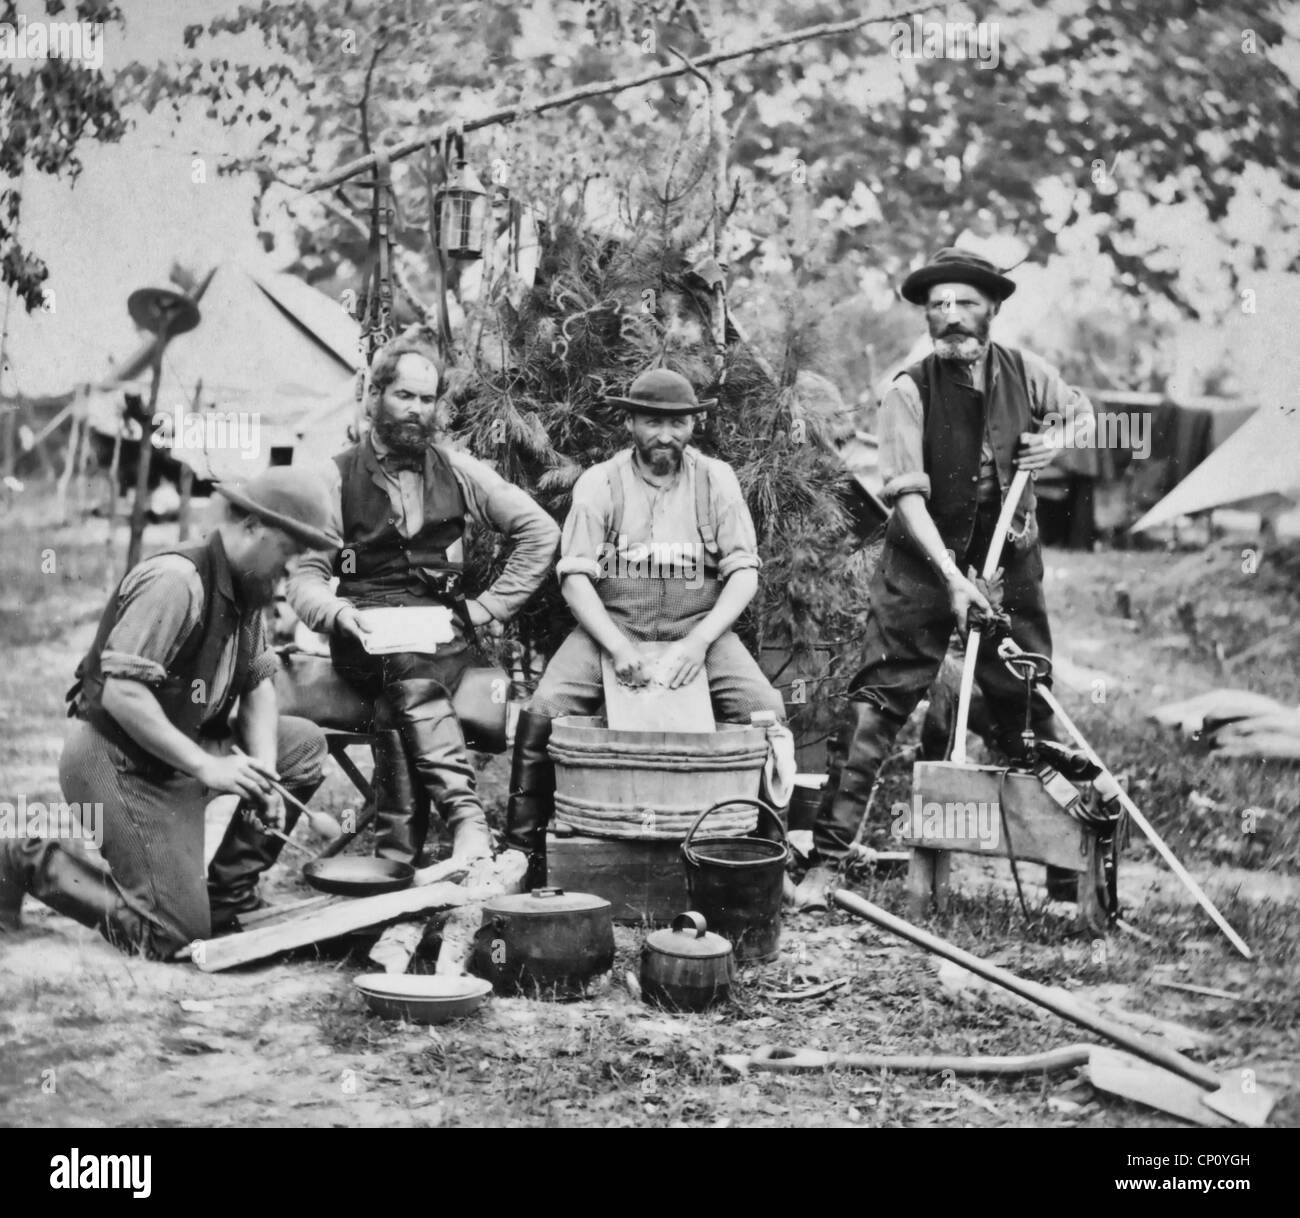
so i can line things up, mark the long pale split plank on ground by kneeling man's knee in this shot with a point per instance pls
(315, 926)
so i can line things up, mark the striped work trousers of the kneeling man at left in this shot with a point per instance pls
(154, 830)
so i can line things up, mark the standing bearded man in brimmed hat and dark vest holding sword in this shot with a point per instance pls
(954, 431)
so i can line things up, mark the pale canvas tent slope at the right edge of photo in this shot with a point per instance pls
(1258, 470)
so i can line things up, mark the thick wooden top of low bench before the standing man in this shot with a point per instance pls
(964, 803)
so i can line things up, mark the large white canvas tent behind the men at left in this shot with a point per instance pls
(271, 350)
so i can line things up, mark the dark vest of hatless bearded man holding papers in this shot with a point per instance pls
(376, 564)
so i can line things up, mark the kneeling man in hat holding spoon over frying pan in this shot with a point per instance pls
(181, 641)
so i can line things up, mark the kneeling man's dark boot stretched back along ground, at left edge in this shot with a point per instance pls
(73, 886)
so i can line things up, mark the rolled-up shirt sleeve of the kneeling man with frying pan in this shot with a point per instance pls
(159, 604)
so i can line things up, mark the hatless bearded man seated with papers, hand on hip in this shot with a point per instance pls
(402, 505)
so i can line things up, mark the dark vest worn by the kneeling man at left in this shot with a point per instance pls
(183, 700)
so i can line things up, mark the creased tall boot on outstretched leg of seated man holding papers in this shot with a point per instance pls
(441, 765)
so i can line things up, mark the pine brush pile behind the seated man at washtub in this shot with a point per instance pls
(604, 311)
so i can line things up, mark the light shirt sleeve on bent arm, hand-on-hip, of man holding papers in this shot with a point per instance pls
(513, 513)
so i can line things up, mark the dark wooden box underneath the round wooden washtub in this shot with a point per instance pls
(645, 882)
